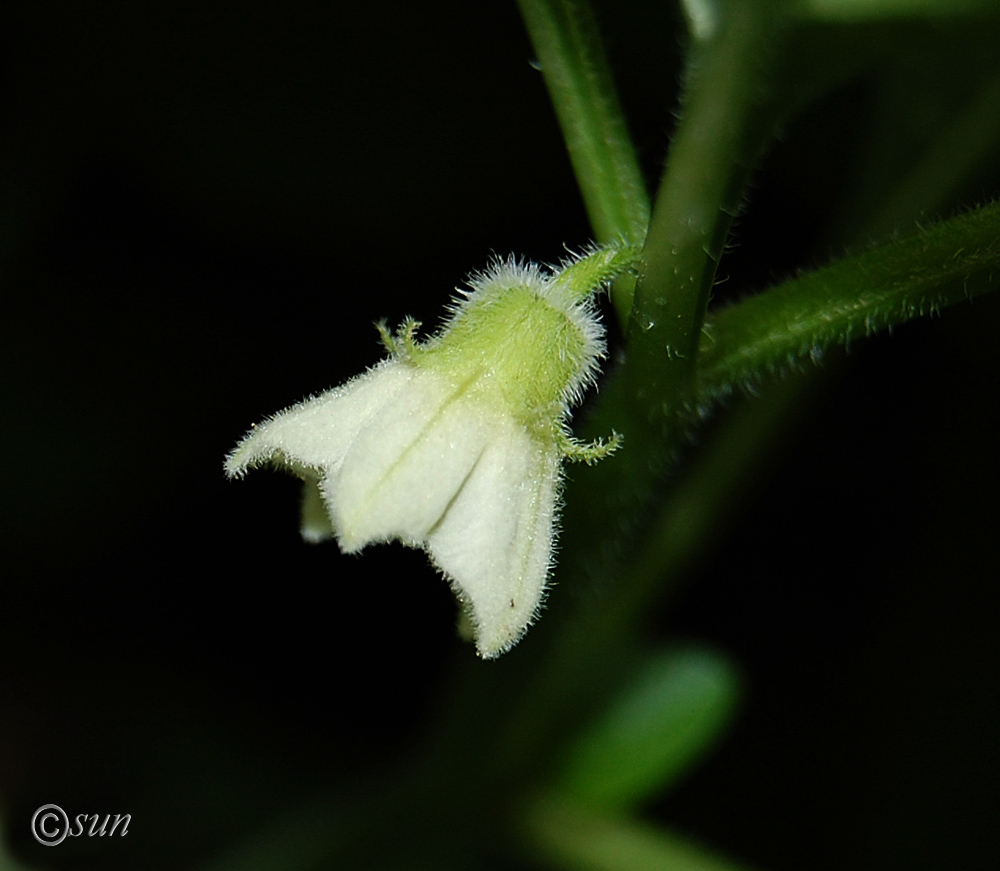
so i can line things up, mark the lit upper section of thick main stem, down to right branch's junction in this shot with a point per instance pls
(728, 118)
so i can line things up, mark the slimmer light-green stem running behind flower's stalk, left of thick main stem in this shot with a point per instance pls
(567, 43)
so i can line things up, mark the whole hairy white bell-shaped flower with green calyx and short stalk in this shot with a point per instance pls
(455, 444)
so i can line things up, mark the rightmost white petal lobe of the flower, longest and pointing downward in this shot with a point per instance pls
(495, 542)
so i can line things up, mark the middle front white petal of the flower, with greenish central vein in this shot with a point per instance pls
(405, 467)
